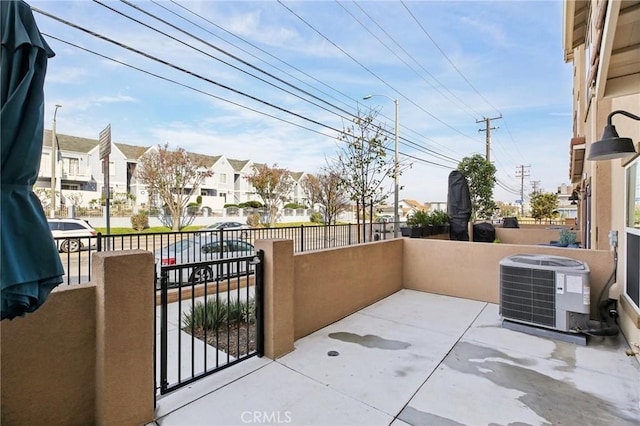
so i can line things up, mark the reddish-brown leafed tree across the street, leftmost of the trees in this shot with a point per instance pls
(173, 176)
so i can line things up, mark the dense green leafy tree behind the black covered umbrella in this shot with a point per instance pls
(480, 175)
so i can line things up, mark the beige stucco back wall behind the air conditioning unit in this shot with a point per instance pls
(472, 270)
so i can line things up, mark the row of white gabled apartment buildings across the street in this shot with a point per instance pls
(79, 175)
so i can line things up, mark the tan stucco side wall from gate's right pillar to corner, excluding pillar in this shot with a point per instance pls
(331, 284)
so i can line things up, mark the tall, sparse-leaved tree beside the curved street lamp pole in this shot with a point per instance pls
(362, 163)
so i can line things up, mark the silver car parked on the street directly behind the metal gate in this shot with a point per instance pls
(196, 249)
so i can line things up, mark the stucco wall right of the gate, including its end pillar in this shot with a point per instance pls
(308, 291)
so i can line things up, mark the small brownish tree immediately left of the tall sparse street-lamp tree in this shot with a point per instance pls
(325, 189)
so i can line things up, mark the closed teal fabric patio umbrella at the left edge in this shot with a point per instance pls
(30, 266)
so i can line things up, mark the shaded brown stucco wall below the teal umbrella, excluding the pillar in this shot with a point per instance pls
(48, 361)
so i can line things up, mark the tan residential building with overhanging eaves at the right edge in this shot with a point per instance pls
(601, 39)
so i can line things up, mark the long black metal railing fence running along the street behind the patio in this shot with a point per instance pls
(77, 265)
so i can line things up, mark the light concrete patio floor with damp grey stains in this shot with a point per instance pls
(420, 359)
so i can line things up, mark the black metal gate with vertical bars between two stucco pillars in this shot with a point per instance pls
(210, 318)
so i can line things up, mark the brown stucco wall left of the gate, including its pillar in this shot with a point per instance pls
(86, 356)
